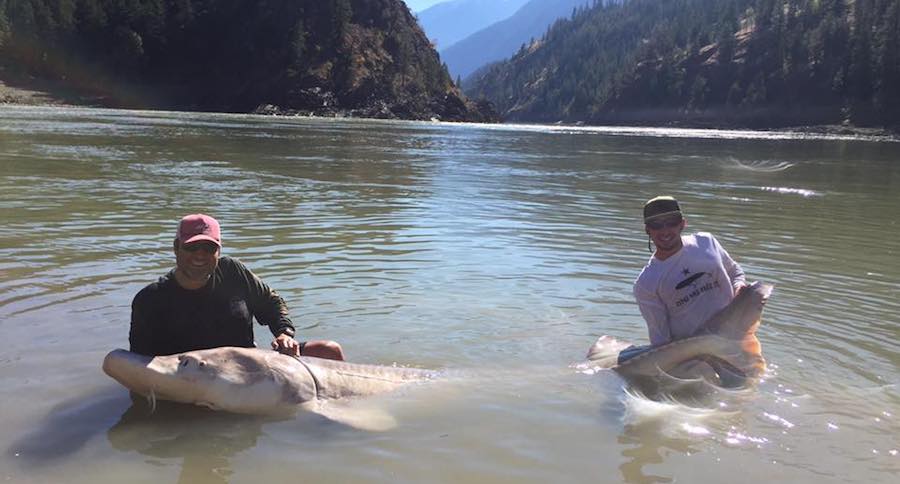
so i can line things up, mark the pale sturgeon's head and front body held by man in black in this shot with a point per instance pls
(253, 380)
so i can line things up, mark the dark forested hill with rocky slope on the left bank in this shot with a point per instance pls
(359, 57)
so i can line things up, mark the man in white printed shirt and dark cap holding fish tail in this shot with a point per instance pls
(688, 279)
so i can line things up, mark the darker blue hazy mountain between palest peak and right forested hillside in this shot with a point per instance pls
(503, 39)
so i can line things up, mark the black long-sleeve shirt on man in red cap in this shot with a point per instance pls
(168, 319)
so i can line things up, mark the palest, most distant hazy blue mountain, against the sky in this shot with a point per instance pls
(447, 23)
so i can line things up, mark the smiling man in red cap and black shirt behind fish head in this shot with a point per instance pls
(209, 301)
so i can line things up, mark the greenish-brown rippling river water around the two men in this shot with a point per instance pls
(495, 254)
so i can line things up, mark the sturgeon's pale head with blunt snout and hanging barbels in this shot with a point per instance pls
(239, 380)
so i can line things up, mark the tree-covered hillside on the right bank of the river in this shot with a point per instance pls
(757, 63)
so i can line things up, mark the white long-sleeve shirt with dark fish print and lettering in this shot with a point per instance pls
(677, 295)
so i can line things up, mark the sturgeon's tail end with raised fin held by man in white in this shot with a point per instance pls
(725, 344)
